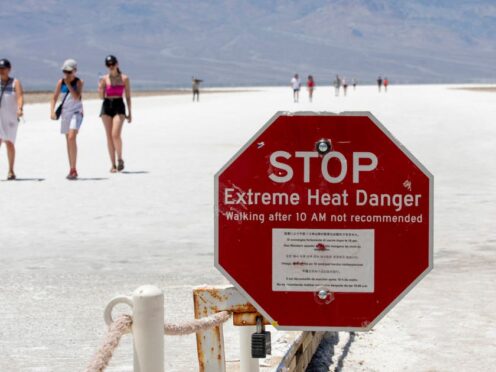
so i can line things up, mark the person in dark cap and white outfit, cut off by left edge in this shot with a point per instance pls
(11, 104)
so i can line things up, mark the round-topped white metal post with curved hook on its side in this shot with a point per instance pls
(147, 303)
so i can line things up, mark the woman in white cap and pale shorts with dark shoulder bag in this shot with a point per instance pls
(70, 111)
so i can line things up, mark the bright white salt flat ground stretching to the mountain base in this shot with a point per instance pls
(68, 247)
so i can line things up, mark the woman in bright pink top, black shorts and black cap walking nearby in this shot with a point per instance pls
(111, 89)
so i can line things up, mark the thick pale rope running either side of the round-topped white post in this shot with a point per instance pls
(123, 325)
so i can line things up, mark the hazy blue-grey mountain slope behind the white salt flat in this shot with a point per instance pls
(258, 42)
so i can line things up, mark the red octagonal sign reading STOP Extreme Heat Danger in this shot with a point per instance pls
(323, 221)
